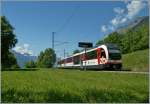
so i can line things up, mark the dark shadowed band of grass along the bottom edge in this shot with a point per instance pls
(57, 96)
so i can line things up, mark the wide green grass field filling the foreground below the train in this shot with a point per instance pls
(73, 86)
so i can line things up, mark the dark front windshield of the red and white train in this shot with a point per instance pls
(114, 54)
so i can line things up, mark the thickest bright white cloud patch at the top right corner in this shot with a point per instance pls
(134, 7)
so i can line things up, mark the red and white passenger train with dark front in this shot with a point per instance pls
(105, 56)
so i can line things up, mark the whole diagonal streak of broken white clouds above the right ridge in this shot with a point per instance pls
(123, 15)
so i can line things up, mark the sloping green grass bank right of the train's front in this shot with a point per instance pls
(137, 61)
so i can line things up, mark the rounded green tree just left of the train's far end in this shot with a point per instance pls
(47, 58)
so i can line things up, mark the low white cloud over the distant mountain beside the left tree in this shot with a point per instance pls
(23, 49)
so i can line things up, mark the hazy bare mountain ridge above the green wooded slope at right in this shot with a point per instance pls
(133, 24)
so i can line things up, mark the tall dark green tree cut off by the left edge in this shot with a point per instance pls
(8, 41)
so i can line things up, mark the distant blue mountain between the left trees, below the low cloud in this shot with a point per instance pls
(23, 58)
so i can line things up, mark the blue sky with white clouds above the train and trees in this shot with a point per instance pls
(72, 22)
